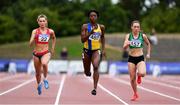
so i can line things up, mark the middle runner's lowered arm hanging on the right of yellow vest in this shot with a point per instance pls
(103, 39)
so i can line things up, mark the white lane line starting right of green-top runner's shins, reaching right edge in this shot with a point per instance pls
(162, 84)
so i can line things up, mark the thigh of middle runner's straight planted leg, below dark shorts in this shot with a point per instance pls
(96, 58)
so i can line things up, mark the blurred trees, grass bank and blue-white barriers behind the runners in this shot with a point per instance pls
(18, 19)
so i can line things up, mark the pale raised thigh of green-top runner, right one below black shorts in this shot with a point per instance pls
(141, 67)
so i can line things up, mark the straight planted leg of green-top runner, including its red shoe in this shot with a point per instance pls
(132, 73)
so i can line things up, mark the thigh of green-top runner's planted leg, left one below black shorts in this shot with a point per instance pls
(132, 69)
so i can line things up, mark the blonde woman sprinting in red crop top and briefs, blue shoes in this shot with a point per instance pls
(41, 54)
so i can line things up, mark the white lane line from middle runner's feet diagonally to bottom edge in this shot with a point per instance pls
(109, 92)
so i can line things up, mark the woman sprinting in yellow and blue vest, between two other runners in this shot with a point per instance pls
(92, 36)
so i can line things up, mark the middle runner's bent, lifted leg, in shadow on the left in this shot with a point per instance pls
(86, 64)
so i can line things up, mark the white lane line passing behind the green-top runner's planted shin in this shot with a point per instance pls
(146, 89)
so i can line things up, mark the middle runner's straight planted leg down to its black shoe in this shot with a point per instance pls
(95, 62)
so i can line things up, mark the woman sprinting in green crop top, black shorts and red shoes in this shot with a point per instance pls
(135, 41)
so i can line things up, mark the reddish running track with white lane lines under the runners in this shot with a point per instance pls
(20, 89)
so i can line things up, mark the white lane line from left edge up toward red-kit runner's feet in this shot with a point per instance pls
(16, 87)
